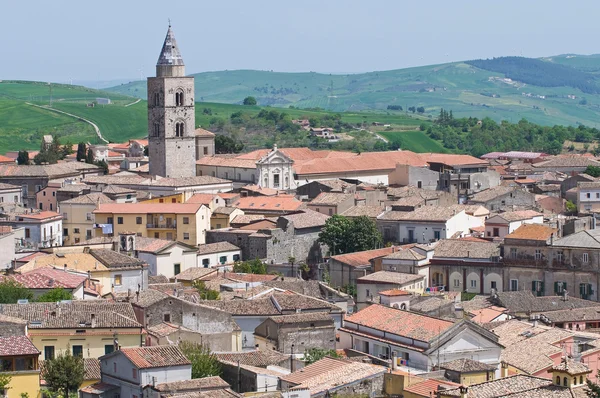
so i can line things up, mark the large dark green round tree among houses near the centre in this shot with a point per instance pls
(344, 235)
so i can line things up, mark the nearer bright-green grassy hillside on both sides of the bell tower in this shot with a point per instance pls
(26, 115)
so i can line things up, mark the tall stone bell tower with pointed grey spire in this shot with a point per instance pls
(171, 117)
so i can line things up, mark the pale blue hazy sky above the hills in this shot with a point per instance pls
(102, 40)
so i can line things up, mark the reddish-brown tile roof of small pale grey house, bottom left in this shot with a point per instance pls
(155, 356)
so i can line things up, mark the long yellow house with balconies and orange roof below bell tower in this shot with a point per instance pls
(183, 222)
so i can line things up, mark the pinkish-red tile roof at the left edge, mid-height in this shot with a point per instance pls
(48, 278)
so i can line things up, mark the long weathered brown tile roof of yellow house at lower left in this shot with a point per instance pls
(74, 315)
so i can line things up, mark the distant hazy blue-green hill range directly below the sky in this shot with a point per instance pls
(465, 88)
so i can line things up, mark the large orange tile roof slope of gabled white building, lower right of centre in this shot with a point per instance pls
(402, 323)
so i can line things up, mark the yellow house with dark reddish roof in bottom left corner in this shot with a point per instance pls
(19, 358)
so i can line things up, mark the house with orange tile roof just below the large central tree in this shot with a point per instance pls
(345, 269)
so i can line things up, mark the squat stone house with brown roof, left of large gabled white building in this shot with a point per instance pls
(296, 333)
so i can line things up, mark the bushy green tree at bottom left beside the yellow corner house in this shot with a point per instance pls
(63, 373)
